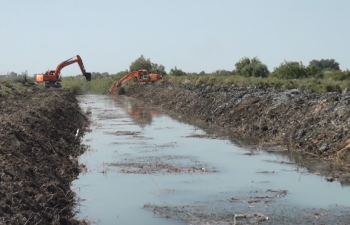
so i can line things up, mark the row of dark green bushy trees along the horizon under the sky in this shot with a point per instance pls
(253, 67)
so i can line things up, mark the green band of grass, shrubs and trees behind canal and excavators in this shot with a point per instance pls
(319, 76)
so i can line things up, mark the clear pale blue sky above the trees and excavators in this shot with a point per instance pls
(193, 35)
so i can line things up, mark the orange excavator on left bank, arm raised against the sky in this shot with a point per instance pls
(52, 78)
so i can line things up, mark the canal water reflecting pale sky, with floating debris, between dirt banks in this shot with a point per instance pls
(145, 167)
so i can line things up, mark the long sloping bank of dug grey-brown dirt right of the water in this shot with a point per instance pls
(314, 123)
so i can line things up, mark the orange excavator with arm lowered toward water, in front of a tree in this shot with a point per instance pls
(141, 76)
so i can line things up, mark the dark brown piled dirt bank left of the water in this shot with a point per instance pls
(38, 149)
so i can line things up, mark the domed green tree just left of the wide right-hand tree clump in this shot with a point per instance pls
(251, 67)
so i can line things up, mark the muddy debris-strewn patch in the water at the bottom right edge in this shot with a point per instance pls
(263, 207)
